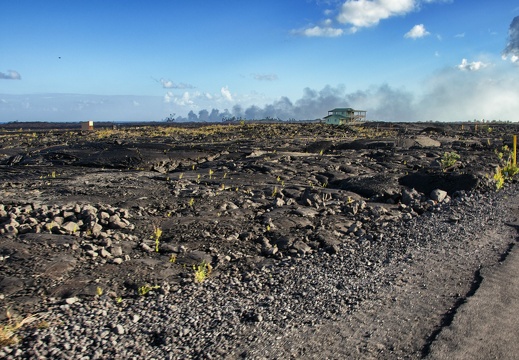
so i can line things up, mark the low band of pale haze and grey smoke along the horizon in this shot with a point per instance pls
(457, 93)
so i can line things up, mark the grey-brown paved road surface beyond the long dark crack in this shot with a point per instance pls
(487, 325)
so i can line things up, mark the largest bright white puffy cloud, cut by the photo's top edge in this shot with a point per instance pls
(366, 13)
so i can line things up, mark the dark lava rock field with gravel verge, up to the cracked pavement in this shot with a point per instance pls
(252, 241)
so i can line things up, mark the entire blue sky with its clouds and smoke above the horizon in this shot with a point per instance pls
(133, 60)
